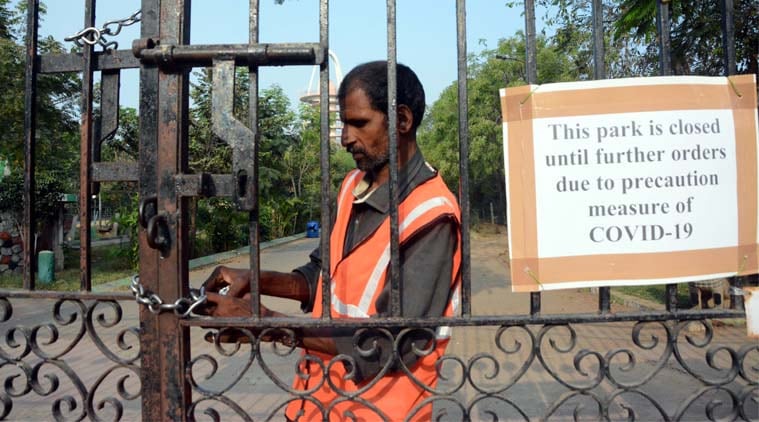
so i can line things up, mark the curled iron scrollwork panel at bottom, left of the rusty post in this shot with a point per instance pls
(41, 360)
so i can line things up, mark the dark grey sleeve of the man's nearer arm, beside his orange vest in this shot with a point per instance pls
(426, 263)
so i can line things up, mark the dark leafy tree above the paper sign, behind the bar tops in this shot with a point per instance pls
(631, 36)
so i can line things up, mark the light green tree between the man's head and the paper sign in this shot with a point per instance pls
(488, 71)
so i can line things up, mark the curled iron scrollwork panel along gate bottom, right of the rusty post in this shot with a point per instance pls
(488, 385)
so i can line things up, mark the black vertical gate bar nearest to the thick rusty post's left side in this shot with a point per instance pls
(85, 155)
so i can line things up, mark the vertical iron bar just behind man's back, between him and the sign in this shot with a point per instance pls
(463, 98)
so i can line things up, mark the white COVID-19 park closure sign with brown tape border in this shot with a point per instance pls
(631, 181)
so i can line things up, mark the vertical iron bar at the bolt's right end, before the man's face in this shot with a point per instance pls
(324, 157)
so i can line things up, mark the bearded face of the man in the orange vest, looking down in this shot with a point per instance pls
(364, 131)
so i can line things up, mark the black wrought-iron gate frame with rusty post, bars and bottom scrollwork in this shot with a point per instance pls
(166, 363)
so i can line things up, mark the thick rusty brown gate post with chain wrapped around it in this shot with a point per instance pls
(163, 154)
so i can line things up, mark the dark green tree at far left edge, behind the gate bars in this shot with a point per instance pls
(57, 134)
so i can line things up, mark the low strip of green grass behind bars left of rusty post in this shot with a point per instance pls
(106, 265)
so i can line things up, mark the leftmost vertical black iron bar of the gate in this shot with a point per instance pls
(30, 138)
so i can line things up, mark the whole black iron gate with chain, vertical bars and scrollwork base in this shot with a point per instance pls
(153, 371)
